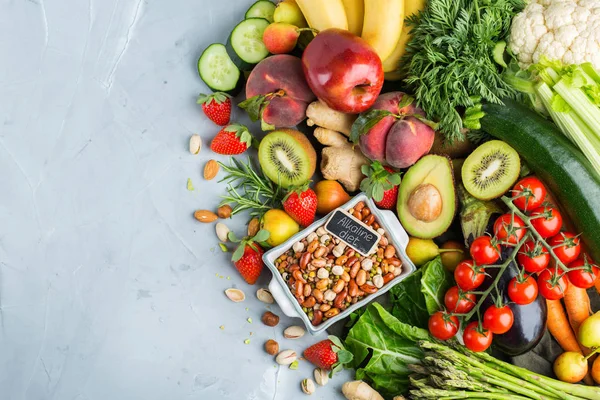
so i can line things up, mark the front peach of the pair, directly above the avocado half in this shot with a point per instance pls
(408, 140)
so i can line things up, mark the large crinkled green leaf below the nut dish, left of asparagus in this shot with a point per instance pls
(392, 345)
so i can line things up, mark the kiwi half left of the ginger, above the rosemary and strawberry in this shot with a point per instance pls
(287, 157)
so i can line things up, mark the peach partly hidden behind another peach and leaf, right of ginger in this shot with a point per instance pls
(373, 144)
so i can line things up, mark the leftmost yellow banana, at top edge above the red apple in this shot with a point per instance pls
(324, 14)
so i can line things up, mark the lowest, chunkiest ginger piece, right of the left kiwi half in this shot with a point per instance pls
(343, 163)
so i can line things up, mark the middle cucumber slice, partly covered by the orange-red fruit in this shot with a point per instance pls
(245, 45)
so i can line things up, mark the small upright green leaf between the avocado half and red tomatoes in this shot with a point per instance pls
(434, 284)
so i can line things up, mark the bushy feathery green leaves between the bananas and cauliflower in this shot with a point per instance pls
(450, 57)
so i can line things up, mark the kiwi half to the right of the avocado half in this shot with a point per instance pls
(491, 170)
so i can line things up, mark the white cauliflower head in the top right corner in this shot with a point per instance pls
(564, 30)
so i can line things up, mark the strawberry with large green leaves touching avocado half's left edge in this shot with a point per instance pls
(381, 184)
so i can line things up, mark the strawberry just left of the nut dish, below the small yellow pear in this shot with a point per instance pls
(247, 258)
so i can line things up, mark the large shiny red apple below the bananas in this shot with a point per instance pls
(343, 70)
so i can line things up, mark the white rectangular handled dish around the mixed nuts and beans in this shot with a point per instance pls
(287, 302)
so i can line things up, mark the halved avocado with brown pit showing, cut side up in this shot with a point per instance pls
(427, 197)
